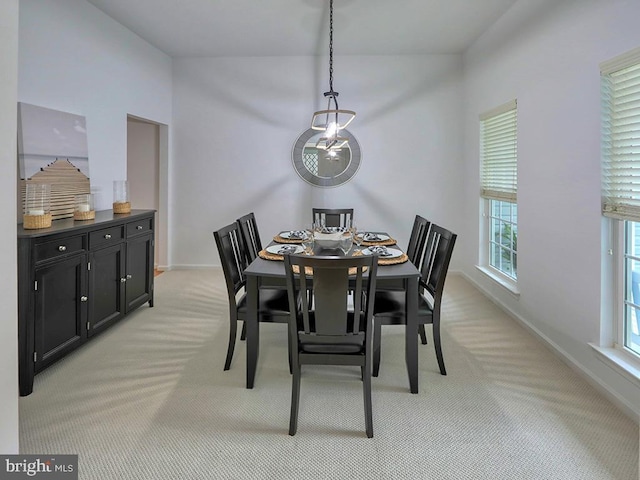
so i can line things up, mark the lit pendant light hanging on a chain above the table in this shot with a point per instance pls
(331, 120)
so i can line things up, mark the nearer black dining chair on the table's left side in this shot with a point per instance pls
(273, 304)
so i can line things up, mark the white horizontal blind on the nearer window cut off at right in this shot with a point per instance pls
(620, 90)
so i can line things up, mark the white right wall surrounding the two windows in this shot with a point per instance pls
(546, 54)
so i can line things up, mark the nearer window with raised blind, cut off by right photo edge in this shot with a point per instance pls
(620, 86)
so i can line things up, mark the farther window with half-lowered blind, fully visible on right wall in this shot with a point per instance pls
(499, 187)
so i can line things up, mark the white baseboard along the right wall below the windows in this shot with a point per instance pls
(553, 347)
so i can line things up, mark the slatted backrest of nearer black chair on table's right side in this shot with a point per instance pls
(435, 263)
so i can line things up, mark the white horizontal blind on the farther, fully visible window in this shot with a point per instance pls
(499, 153)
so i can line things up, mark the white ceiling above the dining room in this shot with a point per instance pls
(300, 27)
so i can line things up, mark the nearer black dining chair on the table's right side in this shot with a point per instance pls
(389, 306)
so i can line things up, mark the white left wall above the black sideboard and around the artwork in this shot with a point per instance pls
(76, 59)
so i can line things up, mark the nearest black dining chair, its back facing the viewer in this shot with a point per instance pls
(331, 333)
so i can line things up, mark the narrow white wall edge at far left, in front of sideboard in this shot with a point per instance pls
(8, 252)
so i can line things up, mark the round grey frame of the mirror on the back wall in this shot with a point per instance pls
(316, 181)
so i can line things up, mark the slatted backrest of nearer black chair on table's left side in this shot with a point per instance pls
(233, 258)
